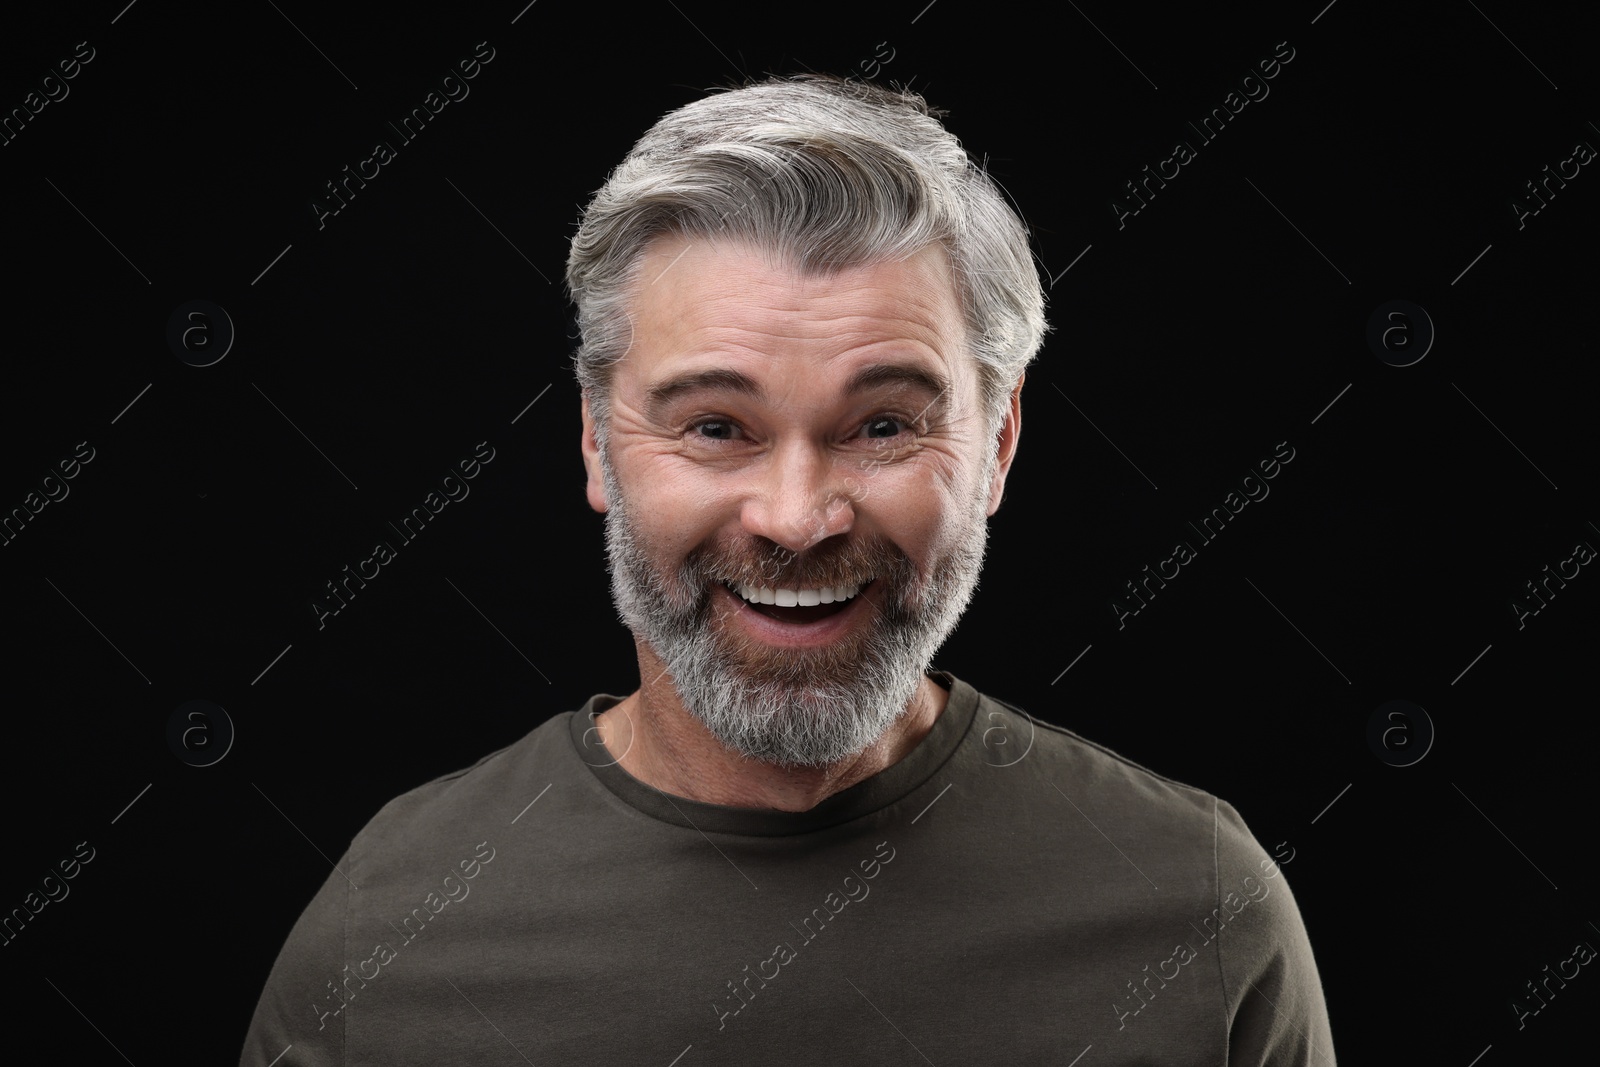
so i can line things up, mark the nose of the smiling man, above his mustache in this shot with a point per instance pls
(799, 498)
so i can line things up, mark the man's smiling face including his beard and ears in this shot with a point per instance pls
(796, 441)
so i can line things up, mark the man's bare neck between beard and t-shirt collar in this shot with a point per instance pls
(666, 748)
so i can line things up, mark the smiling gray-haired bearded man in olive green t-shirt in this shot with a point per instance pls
(806, 319)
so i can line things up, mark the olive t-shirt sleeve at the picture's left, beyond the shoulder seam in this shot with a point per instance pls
(300, 1020)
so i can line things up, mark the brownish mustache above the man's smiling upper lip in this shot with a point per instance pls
(772, 565)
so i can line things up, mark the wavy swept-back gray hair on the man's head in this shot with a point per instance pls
(828, 175)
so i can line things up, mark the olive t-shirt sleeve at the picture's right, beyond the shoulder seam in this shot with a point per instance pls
(1271, 988)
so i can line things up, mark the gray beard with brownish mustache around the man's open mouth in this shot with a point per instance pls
(793, 708)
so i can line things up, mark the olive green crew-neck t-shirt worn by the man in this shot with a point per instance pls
(1009, 893)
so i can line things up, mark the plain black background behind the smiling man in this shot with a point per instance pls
(423, 319)
